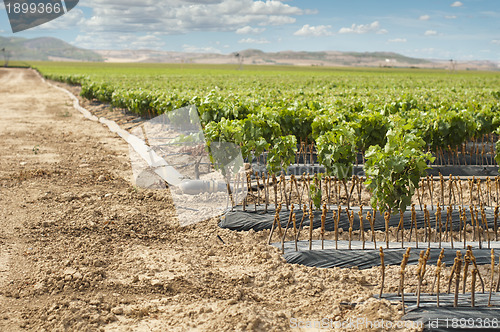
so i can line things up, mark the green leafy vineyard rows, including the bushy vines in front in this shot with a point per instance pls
(391, 116)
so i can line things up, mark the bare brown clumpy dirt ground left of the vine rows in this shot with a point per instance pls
(82, 249)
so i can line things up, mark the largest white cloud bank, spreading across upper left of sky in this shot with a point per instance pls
(112, 18)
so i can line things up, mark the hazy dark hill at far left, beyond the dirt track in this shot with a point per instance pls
(45, 49)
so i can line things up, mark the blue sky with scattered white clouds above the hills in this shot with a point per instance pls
(439, 29)
